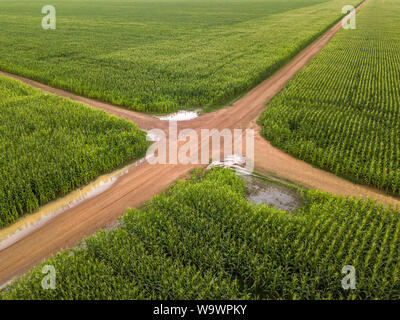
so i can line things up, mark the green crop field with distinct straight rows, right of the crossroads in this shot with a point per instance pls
(341, 112)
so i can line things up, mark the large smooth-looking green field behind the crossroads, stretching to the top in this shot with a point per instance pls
(159, 55)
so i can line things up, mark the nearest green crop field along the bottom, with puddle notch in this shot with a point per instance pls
(190, 243)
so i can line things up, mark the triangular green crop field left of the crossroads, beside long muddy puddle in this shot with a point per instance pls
(51, 146)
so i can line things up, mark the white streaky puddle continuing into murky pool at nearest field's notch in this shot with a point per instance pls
(262, 190)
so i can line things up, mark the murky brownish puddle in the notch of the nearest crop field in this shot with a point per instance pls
(263, 191)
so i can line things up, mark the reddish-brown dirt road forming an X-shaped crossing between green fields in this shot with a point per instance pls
(144, 181)
